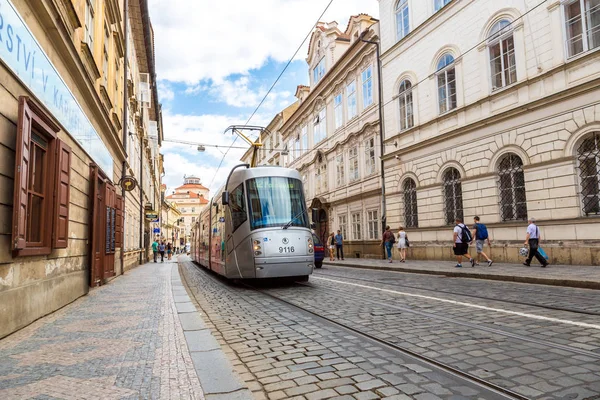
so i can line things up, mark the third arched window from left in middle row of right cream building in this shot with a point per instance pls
(502, 55)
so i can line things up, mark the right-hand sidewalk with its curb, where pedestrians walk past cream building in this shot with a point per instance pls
(558, 275)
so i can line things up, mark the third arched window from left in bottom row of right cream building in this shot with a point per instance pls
(511, 181)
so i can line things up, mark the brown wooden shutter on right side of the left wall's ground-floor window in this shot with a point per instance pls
(62, 190)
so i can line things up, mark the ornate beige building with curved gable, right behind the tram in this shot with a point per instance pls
(333, 136)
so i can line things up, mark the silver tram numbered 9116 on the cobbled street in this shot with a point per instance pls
(256, 226)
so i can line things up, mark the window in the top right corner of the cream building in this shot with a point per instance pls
(583, 28)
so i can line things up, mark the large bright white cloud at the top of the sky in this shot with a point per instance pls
(197, 41)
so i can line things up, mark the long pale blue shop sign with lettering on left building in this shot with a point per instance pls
(22, 54)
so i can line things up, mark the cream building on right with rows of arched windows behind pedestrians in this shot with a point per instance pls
(493, 110)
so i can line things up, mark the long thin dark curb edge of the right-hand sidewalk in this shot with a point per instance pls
(494, 277)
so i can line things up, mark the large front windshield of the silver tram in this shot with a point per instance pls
(275, 201)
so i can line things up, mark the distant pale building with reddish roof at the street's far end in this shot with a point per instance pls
(190, 199)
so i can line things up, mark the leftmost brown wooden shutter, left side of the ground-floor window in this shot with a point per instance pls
(21, 175)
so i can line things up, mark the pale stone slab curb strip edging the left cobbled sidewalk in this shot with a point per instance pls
(218, 379)
